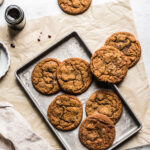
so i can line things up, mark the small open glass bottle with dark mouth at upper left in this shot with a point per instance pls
(15, 18)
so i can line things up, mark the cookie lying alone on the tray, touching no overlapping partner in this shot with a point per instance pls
(65, 112)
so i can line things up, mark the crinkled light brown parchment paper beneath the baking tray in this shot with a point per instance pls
(94, 26)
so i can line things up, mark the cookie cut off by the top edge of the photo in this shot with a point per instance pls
(74, 7)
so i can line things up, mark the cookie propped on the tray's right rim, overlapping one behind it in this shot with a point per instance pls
(108, 64)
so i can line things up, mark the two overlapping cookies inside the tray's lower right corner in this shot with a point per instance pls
(103, 109)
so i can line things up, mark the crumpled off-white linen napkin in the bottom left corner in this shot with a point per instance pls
(15, 132)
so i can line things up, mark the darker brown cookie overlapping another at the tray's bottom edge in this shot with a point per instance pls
(97, 132)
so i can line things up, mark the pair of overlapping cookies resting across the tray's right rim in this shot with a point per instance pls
(111, 62)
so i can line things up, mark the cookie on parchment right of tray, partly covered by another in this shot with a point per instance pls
(127, 43)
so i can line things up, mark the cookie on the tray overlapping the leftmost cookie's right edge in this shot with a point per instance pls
(74, 75)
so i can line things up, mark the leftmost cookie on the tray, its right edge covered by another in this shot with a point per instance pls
(44, 77)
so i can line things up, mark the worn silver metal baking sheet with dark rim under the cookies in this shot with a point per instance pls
(73, 46)
